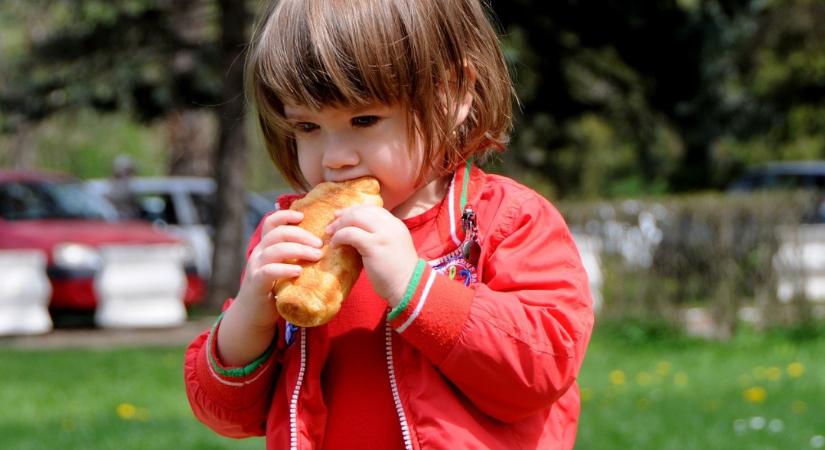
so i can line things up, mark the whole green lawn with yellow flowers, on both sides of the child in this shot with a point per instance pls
(669, 394)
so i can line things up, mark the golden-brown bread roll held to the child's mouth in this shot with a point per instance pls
(314, 297)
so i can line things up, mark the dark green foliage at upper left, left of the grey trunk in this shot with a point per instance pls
(140, 56)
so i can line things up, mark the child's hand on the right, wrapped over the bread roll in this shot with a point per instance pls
(384, 243)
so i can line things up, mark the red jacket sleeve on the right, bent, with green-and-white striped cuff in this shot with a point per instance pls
(514, 343)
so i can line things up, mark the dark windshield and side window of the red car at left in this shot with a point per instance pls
(41, 200)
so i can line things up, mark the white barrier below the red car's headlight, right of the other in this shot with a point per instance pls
(141, 286)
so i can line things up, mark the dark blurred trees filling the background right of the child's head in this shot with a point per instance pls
(626, 98)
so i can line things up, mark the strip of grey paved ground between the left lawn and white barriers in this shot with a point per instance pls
(88, 337)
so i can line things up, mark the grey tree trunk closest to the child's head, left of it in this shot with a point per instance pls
(230, 159)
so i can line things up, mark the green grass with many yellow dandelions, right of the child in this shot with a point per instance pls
(750, 393)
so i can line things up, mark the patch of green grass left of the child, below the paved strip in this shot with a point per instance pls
(115, 399)
